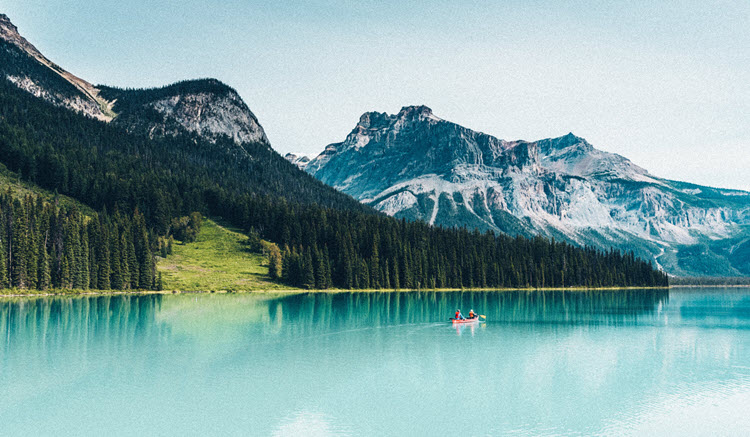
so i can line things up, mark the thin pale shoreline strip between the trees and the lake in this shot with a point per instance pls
(74, 293)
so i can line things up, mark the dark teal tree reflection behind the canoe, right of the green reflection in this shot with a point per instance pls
(315, 310)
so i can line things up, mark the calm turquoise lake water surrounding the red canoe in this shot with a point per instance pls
(546, 363)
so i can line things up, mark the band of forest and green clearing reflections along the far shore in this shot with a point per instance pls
(126, 319)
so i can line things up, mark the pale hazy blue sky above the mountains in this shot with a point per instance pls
(664, 83)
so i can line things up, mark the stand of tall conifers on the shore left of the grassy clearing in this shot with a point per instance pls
(44, 246)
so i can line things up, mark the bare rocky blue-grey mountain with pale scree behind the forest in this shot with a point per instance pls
(420, 167)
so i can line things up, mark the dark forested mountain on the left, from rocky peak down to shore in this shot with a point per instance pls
(156, 157)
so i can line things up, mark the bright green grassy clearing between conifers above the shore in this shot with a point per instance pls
(217, 261)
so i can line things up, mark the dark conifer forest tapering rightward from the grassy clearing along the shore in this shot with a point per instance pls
(324, 248)
